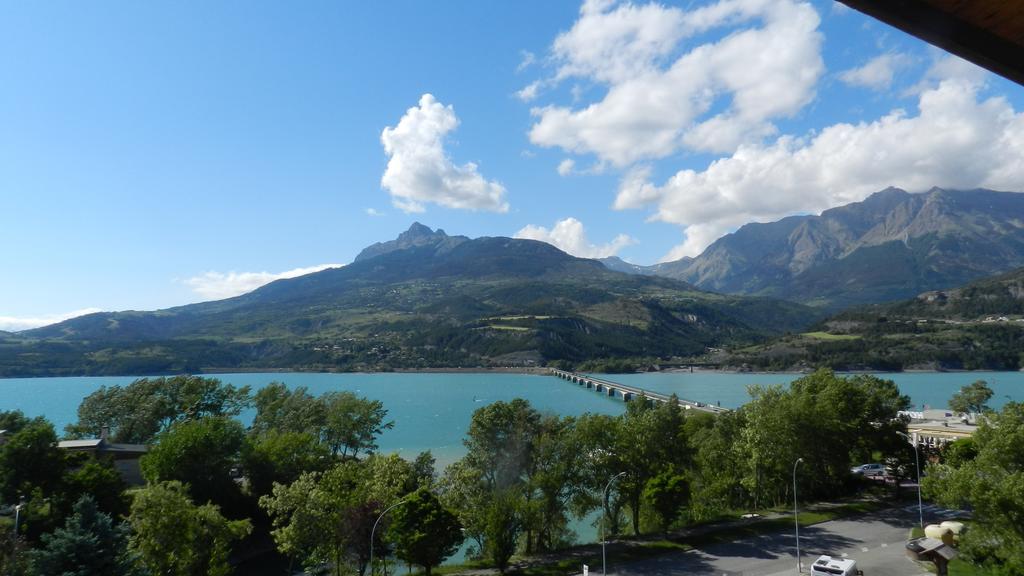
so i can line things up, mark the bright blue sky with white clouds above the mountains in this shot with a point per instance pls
(164, 153)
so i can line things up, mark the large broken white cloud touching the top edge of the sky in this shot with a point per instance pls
(663, 97)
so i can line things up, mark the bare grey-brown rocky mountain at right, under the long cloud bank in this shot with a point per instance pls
(892, 245)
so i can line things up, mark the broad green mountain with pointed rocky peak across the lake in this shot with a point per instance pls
(424, 301)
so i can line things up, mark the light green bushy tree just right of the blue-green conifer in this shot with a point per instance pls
(175, 538)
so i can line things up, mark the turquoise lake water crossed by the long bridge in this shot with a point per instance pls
(434, 412)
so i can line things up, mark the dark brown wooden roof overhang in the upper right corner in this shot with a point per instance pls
(990, 33)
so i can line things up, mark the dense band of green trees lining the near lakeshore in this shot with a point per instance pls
(305, 483)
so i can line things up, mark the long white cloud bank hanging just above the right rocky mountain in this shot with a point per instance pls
(957, 140)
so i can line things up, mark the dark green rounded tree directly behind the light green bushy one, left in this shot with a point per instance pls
(202, 455)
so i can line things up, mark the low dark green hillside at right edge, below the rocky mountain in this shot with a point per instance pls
(977, 326)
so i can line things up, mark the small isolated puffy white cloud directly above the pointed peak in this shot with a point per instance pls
(419, 172)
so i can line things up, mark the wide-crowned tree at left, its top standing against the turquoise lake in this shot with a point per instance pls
(142, 410)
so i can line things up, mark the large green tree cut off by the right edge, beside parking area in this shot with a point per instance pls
(993, 484)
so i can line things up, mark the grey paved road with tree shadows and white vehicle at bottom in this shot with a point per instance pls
(875, 541)
